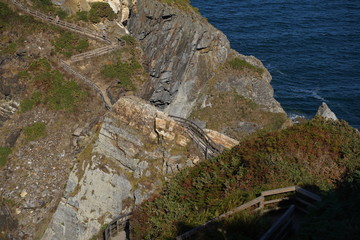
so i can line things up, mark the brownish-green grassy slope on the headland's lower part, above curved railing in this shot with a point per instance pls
(228, 104)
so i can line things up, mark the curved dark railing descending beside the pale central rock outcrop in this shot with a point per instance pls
(198, 135)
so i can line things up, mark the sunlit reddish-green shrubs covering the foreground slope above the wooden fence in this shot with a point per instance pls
(318, 153)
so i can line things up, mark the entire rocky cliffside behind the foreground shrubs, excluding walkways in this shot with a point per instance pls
(72, 157)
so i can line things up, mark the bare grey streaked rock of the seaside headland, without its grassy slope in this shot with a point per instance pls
(184, 52)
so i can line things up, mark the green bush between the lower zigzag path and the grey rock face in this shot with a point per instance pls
(123, 72)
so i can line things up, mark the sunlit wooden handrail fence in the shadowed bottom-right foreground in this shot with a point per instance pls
(302, 196)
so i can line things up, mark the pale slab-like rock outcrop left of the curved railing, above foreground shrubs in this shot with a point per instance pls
(136, 148)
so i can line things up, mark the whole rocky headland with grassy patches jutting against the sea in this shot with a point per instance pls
(190, 64)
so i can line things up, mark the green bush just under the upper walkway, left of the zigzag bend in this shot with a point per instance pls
(68, 43)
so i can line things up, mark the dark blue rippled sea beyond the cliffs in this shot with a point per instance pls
(311, 48)
